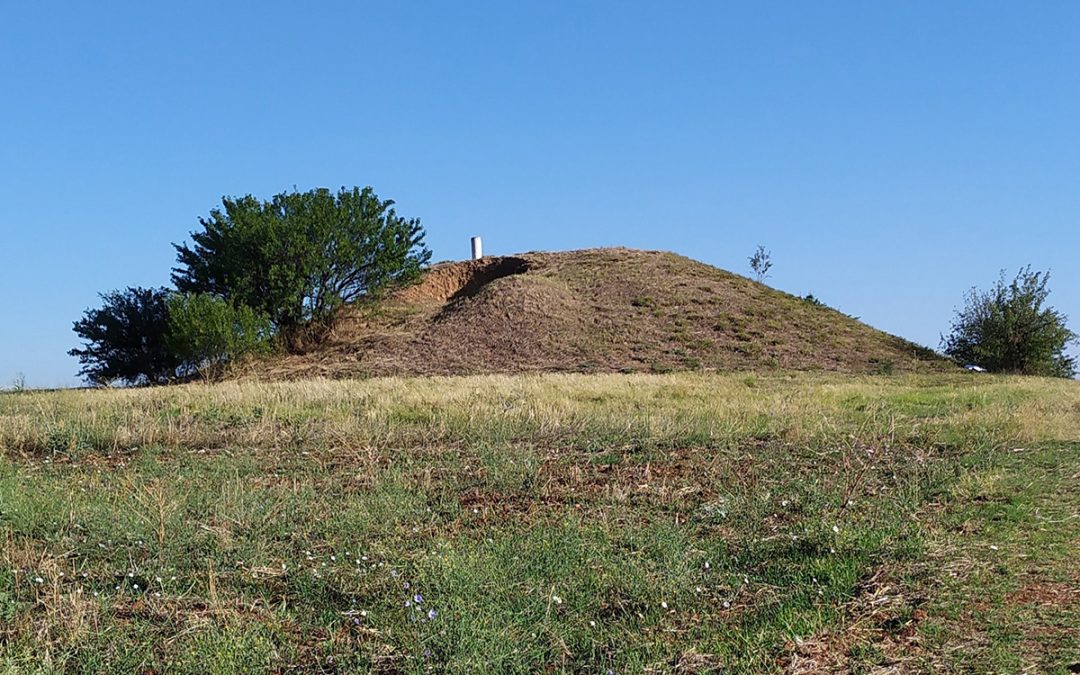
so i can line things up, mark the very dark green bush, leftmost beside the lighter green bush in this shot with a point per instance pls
(125, 340)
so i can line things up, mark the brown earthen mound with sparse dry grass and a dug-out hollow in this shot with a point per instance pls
(605, 309)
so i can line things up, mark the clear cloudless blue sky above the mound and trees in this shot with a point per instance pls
(890, 155)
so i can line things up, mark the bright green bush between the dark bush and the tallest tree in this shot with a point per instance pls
(207, 332)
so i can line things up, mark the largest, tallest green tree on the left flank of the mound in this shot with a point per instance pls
(301, 255)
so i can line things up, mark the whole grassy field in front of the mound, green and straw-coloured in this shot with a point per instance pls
(593, 524)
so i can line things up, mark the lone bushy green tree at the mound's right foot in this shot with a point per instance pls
(1008, 330)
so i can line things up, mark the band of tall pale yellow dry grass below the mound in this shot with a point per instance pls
(684, 410)
